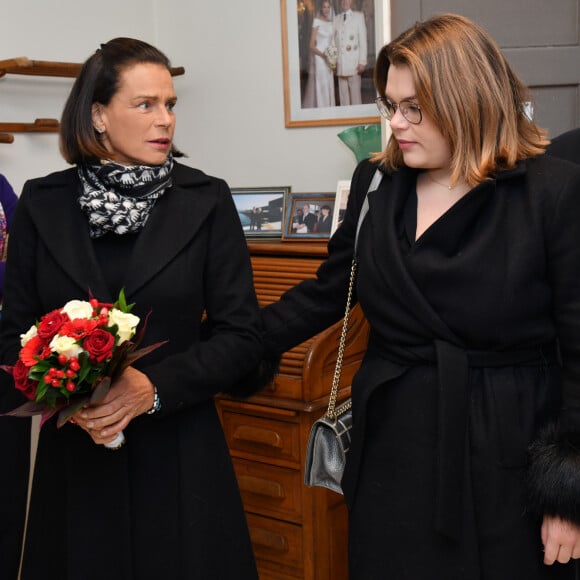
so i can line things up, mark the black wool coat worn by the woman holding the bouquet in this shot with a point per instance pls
(166, 505)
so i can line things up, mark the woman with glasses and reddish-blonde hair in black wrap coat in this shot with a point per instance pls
(468, 275)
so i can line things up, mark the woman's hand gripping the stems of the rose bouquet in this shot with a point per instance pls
(131, 395)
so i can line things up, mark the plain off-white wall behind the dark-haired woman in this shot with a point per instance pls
(231, 102)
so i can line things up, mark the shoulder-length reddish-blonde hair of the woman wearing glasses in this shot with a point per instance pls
(466, 86)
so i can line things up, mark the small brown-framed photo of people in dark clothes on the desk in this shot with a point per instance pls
(308, 216)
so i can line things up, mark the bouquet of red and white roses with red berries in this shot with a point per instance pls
(70, 357)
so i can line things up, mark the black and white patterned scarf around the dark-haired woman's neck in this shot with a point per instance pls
(119, 198)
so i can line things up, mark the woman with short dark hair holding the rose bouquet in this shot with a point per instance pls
(166, 504)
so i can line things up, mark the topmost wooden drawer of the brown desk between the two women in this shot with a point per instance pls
(263, 438)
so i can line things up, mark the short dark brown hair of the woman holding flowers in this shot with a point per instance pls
(97, 82)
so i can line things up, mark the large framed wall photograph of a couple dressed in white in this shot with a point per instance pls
(321, 49)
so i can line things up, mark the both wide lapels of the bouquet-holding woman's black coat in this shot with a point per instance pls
(175, 220)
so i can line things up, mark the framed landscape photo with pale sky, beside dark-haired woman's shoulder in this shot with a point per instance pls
(261, 210)
